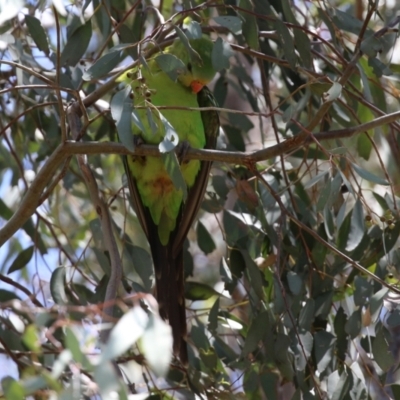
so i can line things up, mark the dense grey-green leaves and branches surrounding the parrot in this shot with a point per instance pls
(293, 264)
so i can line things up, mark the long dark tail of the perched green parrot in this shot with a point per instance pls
(170, 292)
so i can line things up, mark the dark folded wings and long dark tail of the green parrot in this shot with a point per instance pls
(168, 260)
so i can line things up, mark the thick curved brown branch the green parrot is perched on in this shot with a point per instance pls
(32, 197)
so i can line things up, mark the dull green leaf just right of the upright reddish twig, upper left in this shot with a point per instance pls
(77, 45)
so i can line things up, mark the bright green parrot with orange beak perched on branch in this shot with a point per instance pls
(165, 215)
